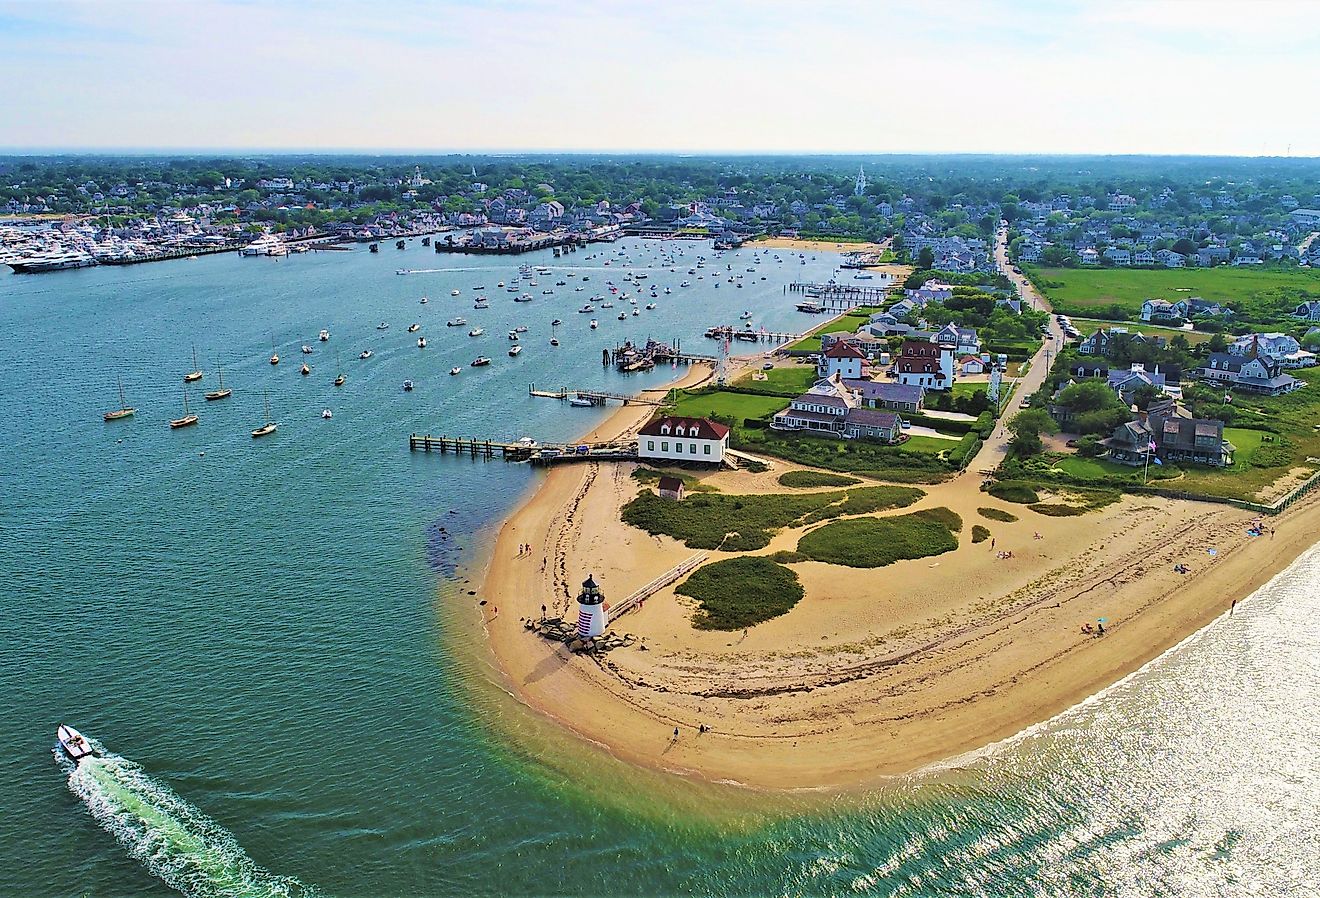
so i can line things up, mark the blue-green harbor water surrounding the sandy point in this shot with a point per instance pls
(270, 629)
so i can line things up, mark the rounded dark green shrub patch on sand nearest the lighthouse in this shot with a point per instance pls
(739, 594)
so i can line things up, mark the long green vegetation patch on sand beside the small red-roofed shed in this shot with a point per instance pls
(741, 524)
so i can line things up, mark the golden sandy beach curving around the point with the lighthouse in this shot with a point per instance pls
(877, 672)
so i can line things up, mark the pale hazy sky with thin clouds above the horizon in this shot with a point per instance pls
(819, 76)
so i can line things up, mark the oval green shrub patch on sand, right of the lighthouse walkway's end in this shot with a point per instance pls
(877, 542)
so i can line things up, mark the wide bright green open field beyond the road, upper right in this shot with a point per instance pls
(1261, 291)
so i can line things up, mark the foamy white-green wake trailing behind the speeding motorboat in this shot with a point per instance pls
(171, 838)
